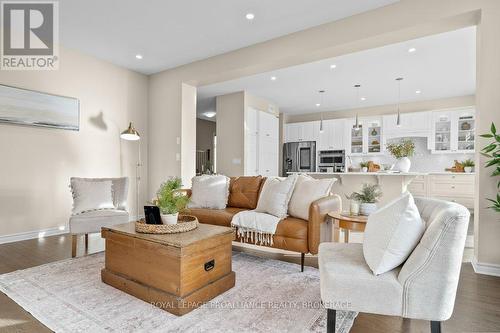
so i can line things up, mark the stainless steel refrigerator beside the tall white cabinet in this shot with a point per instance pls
(299, 157)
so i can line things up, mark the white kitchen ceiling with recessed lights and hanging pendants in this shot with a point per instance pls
(442, 66)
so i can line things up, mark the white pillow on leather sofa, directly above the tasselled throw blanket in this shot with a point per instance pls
(275, 196)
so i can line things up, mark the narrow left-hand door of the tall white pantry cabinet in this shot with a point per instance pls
(251, 142)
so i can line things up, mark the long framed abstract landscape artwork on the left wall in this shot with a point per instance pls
(27, 107)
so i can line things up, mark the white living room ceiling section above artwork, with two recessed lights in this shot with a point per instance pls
(169, 33)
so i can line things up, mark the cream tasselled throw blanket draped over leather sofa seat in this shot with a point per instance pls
(255, 227)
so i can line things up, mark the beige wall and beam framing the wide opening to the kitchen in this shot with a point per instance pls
(404, 20)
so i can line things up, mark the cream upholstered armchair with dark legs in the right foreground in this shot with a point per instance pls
(424, 287)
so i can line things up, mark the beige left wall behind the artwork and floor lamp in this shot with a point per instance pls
(36, 163)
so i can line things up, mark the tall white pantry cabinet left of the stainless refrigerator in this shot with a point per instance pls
(261, 143)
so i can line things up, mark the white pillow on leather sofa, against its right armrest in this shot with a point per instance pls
(307, 190)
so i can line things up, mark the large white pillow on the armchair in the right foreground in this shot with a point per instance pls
(391, 234)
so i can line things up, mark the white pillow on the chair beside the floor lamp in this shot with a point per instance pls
(91, 195)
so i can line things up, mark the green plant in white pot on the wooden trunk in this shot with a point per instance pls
(170, 200)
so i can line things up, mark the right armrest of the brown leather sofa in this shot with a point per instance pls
(317, 215)
